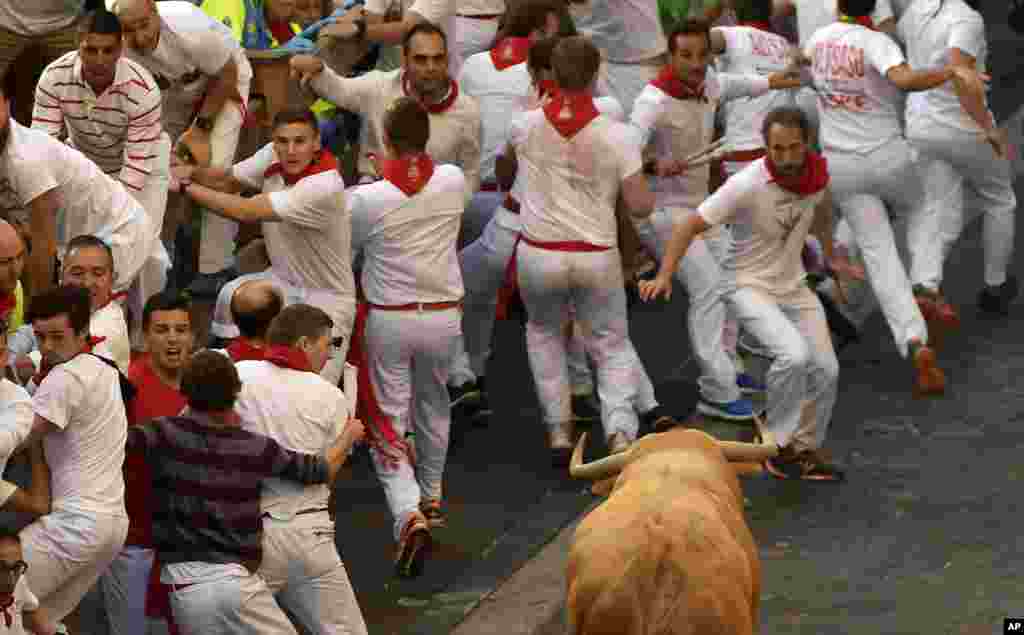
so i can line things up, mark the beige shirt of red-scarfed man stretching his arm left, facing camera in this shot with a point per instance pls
(455, 134)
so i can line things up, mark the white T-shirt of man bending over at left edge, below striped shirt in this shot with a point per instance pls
(35, 163)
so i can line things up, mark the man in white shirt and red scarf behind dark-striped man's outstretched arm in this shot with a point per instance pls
(284, 399)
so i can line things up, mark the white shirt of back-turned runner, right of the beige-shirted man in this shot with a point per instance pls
(502, 96)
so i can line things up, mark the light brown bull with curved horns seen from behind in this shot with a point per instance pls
(669, 554)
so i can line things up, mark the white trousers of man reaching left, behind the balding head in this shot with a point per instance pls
(342, 310)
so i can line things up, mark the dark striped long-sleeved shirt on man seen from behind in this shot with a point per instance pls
(206, 483)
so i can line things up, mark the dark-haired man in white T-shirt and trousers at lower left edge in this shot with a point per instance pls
(80, 417)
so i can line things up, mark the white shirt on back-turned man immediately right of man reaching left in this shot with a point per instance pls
(410, 242)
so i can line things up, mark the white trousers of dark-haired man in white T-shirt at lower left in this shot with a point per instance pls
(67, 554)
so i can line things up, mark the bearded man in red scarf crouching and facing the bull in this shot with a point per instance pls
(780, 198)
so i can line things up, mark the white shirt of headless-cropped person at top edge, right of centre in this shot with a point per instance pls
(626, 31)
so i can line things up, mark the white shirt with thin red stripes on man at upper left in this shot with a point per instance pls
(117, 131)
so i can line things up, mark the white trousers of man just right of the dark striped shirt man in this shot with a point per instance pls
(303, 569)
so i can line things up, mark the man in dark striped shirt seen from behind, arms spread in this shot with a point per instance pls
(206, 512)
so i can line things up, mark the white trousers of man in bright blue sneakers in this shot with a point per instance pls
(701, 274)
